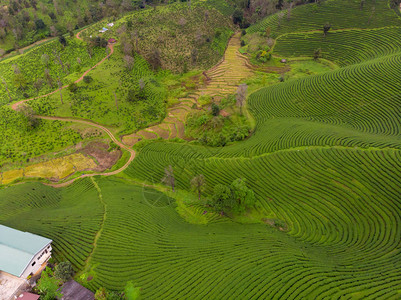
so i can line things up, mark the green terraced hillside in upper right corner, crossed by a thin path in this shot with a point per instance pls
(371, 31)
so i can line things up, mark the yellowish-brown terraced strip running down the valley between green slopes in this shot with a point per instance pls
(222, 80)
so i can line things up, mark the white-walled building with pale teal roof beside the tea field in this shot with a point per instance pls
(22, 253)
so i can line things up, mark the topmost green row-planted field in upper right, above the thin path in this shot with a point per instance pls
(339, 13)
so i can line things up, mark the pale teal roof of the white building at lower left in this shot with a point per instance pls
(17, 248)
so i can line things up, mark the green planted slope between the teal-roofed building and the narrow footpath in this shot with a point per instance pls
(70, 217)
